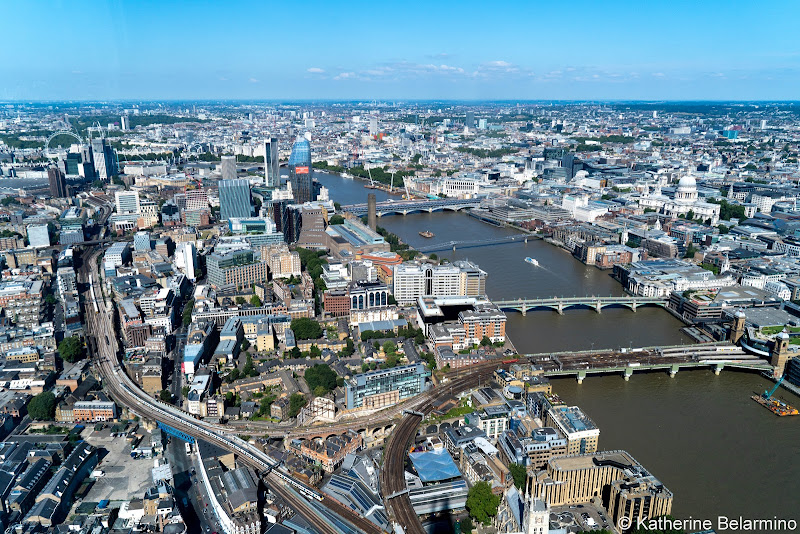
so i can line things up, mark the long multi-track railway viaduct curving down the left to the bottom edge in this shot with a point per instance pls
(103, 347)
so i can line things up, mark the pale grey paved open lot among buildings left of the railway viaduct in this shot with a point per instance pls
(125, 478)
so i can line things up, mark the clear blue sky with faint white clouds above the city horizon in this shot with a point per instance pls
(650, 49)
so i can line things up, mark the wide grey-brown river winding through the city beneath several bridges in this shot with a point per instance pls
(719, 452)
